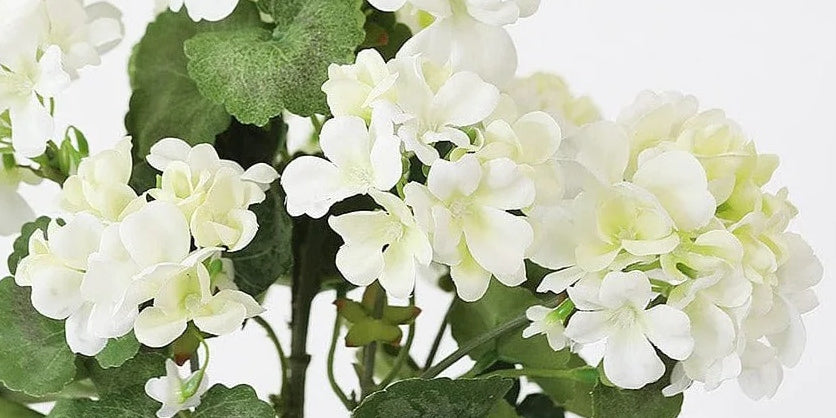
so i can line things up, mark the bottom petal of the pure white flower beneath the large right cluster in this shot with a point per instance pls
(630, 361)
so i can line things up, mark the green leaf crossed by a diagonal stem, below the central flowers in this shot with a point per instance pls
(499, 305)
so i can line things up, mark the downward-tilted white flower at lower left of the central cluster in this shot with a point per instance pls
(383, 245)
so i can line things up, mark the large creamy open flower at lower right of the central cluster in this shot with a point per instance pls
(464, 209)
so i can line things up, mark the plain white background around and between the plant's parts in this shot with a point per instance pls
(770, 64)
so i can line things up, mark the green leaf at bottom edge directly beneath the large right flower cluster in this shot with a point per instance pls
(647, 402)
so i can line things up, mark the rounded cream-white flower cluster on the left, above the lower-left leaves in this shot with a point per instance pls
(120, 252)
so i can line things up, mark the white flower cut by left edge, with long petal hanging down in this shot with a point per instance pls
(24, 82)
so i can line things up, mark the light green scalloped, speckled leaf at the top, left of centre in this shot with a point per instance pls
(256, 73)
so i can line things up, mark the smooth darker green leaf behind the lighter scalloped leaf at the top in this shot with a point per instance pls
(165, 100)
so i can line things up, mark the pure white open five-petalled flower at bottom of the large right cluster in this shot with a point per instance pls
(619, 314)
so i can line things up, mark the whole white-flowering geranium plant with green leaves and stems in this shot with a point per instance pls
(597, 259)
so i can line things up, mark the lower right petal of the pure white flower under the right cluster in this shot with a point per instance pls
(669, 329)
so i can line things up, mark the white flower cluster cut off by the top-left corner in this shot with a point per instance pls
(43, 45)
